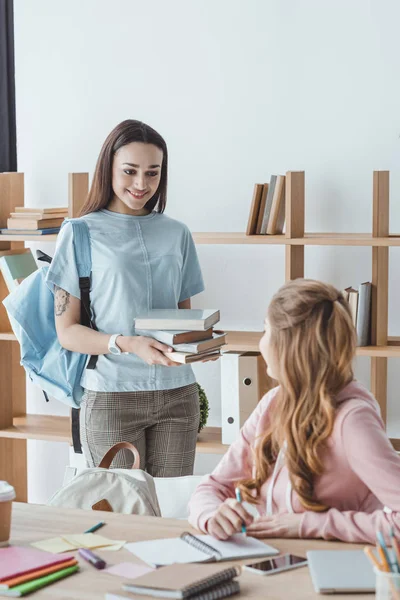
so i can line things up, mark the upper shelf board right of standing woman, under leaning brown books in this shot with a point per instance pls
(309, 239)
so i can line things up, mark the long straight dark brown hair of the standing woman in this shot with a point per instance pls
(128, 131)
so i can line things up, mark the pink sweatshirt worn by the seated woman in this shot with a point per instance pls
(361, 474)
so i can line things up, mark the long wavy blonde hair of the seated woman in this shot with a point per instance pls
(313, 337)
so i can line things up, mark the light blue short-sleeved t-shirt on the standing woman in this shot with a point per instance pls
(138, 263)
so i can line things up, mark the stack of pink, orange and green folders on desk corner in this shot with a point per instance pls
(25, 570)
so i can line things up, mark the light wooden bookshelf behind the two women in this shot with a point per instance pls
(16, 426)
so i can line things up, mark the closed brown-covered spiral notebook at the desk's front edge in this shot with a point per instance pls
(184, 581)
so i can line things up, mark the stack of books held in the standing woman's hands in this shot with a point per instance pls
(190, 332)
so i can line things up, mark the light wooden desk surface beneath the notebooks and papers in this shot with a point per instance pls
(33, 522)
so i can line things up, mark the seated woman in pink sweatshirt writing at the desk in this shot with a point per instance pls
(314, 456)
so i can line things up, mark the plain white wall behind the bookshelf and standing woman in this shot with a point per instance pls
(239, 90)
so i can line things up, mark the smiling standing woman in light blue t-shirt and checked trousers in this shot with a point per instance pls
(141, 259)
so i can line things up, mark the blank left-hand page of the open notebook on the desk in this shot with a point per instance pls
(166, 552)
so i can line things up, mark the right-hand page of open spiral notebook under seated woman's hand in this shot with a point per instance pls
(239, 546)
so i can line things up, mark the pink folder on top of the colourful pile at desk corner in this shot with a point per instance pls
(18, 560)
